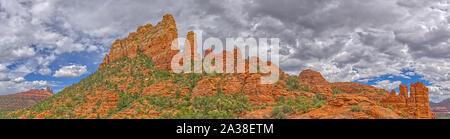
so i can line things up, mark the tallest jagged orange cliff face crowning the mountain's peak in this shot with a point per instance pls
(153, 41)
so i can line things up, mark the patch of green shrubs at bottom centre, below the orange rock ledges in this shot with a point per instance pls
(216, 106)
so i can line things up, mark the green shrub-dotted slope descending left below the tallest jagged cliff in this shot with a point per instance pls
(127, 78)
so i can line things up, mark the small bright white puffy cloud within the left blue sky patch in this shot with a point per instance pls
(70, 71)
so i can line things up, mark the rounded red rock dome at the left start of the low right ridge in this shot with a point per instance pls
(315, 81)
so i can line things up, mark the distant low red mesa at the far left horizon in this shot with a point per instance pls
(24, 99)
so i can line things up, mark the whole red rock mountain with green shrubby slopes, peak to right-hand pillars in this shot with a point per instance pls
(136, 81)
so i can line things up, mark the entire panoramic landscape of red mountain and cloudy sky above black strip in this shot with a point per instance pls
(218, 67)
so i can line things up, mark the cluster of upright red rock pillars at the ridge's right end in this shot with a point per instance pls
(414, 106)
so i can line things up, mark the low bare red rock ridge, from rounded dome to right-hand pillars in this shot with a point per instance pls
(416, 106)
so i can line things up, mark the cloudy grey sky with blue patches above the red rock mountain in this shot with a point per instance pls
(383, 43)
